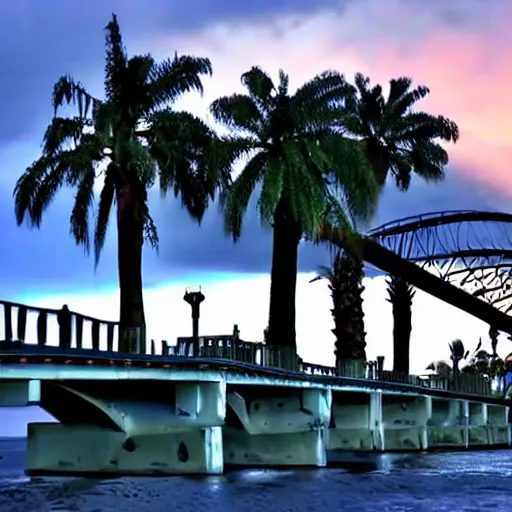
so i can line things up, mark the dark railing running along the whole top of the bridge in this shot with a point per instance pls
(69, 330)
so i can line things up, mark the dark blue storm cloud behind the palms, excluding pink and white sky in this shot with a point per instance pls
(43, 39)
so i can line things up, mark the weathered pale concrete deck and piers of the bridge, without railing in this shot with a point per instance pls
(194, 421)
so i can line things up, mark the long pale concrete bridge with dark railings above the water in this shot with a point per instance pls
(209, 402)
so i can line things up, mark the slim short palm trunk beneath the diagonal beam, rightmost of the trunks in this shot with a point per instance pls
(401, 295)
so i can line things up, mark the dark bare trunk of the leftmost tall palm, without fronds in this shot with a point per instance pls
(130, 226)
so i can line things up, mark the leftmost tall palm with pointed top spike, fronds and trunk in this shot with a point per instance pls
(130, 139)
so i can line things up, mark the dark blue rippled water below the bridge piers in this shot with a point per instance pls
(464, 481)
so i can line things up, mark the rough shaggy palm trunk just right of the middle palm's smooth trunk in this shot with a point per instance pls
(347, 311)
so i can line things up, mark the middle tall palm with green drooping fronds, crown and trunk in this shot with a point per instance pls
(303, 169)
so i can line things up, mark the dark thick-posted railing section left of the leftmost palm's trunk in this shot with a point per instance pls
(43, 327)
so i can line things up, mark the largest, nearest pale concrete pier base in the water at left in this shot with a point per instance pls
(84, 449)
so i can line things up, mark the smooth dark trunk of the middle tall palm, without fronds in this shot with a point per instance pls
(281, 323)
